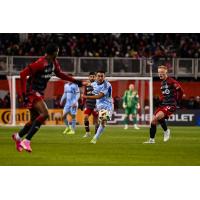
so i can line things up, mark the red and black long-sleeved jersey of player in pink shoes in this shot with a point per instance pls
(39, 74)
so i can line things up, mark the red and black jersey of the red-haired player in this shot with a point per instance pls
(172, 92)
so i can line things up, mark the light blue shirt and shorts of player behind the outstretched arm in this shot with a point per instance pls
(71, 95)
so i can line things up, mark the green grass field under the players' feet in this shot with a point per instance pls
(116, 147)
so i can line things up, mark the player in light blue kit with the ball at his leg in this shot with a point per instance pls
(103, 95)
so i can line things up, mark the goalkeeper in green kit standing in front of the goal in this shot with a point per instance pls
(131, 104)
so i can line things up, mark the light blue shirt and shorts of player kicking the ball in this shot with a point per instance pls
(106, 101)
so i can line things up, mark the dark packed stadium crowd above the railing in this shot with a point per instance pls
(104, 45)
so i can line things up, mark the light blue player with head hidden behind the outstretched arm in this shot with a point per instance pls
(71, 96)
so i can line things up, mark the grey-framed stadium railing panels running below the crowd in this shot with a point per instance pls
(116, 66)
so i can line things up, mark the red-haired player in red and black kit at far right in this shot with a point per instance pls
(171, 96)
